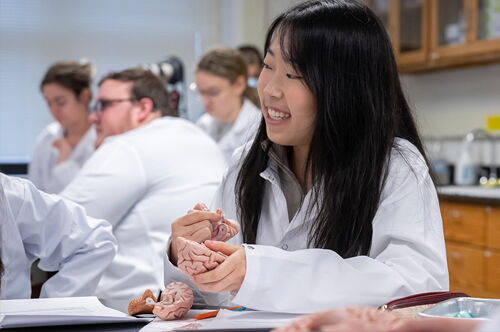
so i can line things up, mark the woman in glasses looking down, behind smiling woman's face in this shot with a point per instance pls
(231, 119)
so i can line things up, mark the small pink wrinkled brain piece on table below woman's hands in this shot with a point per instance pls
(175, 301)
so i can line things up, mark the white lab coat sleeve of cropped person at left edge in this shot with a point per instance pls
(35, 225)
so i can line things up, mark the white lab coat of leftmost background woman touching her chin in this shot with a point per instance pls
(44, 172)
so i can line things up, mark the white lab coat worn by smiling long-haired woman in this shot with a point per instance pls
(284, 275)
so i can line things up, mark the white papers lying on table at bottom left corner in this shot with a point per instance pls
(59, 311)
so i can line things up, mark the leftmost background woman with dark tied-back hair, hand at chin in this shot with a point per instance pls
(64, 145)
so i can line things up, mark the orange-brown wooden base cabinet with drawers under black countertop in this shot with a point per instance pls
(472, 233)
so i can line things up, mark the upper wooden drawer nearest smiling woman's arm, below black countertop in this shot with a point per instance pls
(464, 222)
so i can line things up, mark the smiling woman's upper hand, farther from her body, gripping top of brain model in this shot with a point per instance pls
(195, 226)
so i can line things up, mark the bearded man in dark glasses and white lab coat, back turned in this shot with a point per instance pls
(147, 171)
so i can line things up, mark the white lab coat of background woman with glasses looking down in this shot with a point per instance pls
(242, 130)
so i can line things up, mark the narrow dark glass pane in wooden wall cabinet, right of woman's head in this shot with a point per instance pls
(410, 27)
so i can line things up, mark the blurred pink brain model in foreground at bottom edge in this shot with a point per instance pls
(349, 319)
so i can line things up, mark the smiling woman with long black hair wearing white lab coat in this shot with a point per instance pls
(334, 194)
